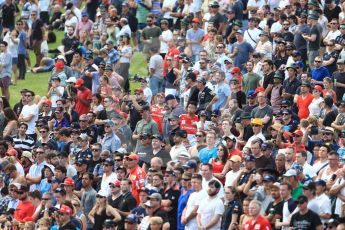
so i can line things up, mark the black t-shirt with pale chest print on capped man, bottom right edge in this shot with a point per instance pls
(310, 220)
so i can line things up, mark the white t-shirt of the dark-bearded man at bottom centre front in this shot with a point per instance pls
(208, 208)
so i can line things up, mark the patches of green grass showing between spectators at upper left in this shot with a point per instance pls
(38, 82)
